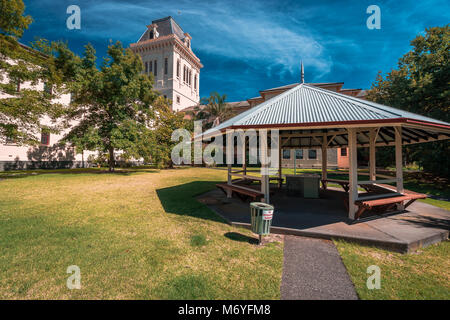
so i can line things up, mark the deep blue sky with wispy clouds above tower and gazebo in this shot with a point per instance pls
(247, 46)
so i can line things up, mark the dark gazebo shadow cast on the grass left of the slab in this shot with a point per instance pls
(180, 200)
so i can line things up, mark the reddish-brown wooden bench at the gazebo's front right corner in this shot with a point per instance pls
(385, 204)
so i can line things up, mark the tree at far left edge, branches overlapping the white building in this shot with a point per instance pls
(22, 69)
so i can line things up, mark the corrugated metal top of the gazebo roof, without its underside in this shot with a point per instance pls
(306, 105)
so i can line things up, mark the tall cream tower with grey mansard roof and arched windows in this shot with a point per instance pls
(166, 52)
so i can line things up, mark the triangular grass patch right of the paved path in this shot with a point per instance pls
(421, 275)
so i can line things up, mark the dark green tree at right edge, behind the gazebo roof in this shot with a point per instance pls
(420, 84)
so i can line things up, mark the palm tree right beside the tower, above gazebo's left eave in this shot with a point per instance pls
(215, 110)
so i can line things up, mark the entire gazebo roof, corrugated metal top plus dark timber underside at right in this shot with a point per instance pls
(307, 109)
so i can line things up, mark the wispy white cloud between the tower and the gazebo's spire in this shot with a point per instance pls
(250, 32)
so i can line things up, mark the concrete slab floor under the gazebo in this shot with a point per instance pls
(326, 218)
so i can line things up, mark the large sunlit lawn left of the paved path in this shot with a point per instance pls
(136, 234)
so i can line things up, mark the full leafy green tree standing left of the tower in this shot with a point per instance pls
(112, 104)
